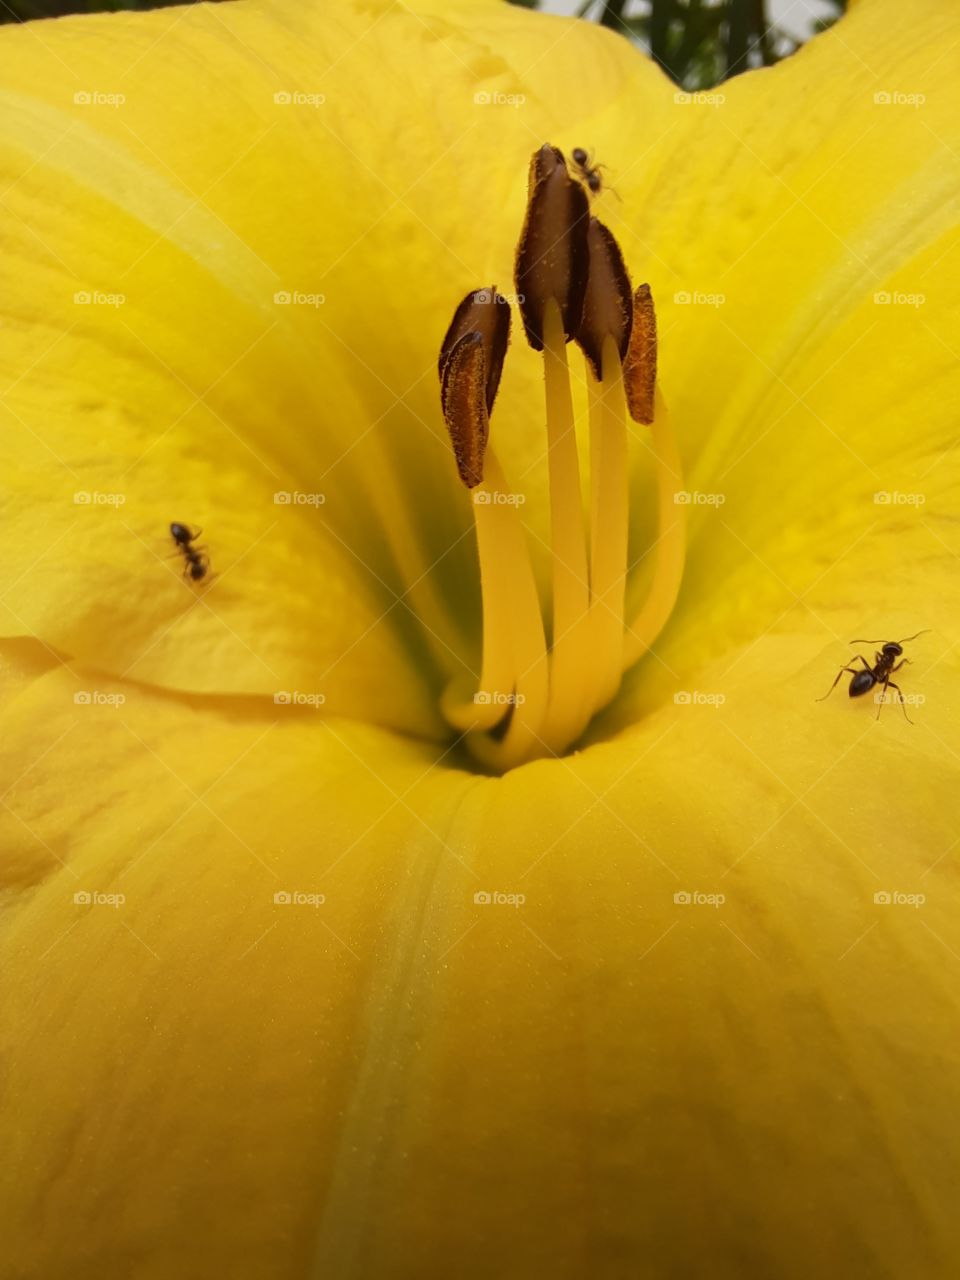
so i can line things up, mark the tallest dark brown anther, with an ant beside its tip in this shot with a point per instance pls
(552, 255)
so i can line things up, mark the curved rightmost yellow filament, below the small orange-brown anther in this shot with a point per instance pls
(670, 548)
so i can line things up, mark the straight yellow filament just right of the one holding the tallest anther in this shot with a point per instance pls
(610, 518)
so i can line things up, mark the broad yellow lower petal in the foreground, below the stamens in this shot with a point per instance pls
(380, 1076)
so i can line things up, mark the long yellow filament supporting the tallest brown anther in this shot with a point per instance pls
(566, 715)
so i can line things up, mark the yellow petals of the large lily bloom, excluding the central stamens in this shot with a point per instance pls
(292, 989)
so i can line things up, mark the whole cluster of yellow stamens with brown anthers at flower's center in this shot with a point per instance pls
(543, 679)
